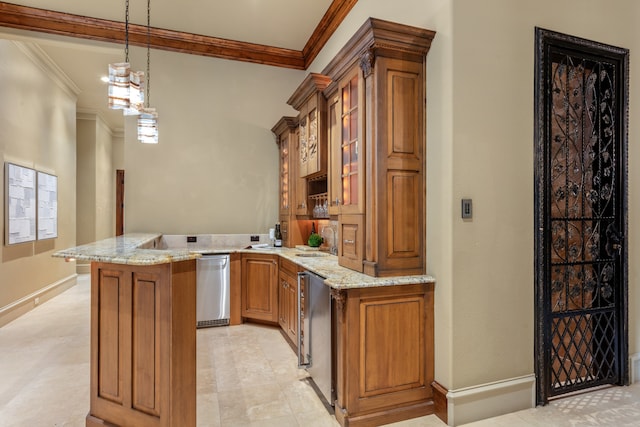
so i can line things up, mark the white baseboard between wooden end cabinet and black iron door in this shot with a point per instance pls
(490, 400)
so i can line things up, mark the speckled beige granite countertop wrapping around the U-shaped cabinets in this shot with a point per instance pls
(138, 249)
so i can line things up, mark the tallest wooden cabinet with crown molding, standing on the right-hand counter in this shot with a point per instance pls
(378, 159)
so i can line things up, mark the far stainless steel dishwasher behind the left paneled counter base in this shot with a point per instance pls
(212, 293)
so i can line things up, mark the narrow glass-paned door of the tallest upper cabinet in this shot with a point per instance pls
(351, 173)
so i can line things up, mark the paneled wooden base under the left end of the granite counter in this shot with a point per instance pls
(143, 345)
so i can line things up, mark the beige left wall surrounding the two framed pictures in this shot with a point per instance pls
(38, 130)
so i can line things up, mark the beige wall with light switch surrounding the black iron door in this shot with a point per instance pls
(493, 63)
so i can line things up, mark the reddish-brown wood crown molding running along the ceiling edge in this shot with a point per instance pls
(65, 24)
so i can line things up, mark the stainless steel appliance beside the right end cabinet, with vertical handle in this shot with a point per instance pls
(314, 326)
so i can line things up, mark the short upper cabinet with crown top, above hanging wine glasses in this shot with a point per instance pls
(311, 103)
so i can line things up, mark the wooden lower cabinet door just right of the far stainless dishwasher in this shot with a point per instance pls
(259, 287)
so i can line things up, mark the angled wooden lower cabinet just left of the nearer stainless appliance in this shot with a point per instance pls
(288, 300)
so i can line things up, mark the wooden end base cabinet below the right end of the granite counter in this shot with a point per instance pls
(384, 354)
